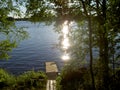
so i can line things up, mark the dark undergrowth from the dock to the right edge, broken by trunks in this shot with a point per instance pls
(79, 78)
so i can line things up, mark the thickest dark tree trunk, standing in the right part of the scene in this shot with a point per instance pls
(103, 45)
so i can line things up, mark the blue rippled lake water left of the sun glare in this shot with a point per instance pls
(32, 53)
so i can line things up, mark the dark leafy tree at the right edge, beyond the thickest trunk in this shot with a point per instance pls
(114, 38)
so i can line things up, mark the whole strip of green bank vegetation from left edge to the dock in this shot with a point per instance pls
(29, 80)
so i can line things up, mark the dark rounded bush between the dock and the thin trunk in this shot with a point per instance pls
(74, 79)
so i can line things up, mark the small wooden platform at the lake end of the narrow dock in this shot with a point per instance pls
(51, 70)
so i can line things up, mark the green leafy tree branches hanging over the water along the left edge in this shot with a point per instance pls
(10, 35)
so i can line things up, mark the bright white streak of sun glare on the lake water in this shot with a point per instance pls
(65, 41)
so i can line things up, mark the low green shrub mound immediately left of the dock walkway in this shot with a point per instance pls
(31, 80)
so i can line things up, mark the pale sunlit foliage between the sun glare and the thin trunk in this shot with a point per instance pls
(79, 42)
